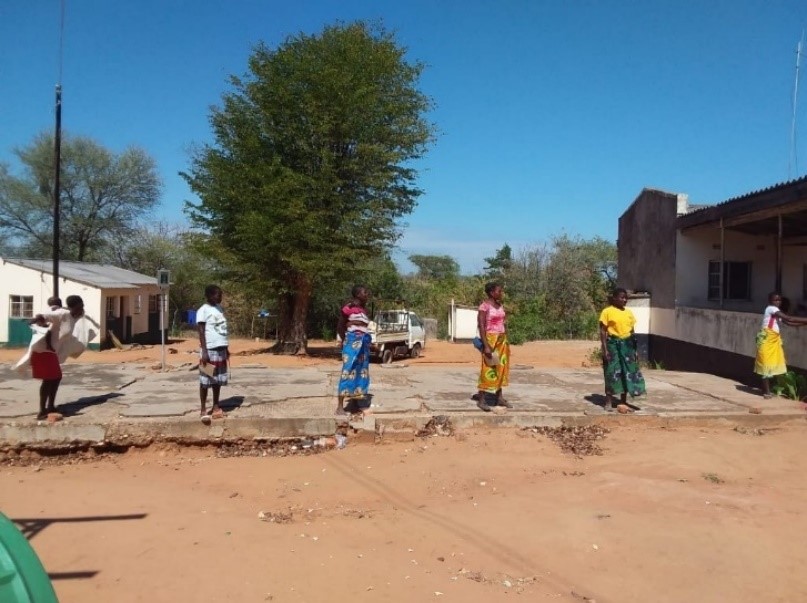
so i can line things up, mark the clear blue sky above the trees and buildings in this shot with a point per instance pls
(553, 115)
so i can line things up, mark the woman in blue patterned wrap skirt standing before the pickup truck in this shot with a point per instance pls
(353, 328)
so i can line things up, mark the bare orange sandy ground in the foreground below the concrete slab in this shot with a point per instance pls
(663, 515)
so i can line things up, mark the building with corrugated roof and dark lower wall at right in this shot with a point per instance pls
(708, 271)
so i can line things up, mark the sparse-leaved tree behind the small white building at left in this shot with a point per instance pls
(104, 196)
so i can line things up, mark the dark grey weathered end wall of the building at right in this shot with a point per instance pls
(646, 246)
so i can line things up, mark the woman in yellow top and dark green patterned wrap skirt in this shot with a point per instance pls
(620, 359)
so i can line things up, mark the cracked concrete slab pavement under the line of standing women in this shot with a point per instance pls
(119, 401)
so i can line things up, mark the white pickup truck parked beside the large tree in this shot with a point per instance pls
(396, 333)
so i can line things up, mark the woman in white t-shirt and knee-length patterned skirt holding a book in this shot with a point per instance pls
(214, 352)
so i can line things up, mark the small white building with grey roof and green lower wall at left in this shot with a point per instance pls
(121, 301)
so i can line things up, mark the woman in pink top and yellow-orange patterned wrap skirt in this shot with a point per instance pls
(494, 372)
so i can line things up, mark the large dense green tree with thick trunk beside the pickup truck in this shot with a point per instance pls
(313, 162)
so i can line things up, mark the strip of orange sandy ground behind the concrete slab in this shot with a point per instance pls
(560, 354)
